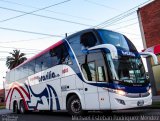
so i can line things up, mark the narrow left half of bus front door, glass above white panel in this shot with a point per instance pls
(90, 89)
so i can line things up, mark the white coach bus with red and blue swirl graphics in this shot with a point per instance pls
(94, 69)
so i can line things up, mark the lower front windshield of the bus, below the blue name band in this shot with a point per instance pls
(126, 69)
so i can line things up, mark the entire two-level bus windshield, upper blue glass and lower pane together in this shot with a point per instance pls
(128, 67)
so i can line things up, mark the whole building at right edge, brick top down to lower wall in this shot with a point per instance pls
(149, 21)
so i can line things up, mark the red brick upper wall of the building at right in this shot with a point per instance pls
(150, 17)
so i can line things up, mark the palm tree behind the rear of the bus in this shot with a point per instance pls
(15, 59)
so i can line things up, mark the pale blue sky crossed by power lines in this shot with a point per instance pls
(58, 18)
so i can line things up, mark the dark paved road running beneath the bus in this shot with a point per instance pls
(123, 115)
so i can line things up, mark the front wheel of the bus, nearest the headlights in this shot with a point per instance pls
(74, 106)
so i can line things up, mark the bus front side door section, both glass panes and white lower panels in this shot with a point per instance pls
(95, 72)
